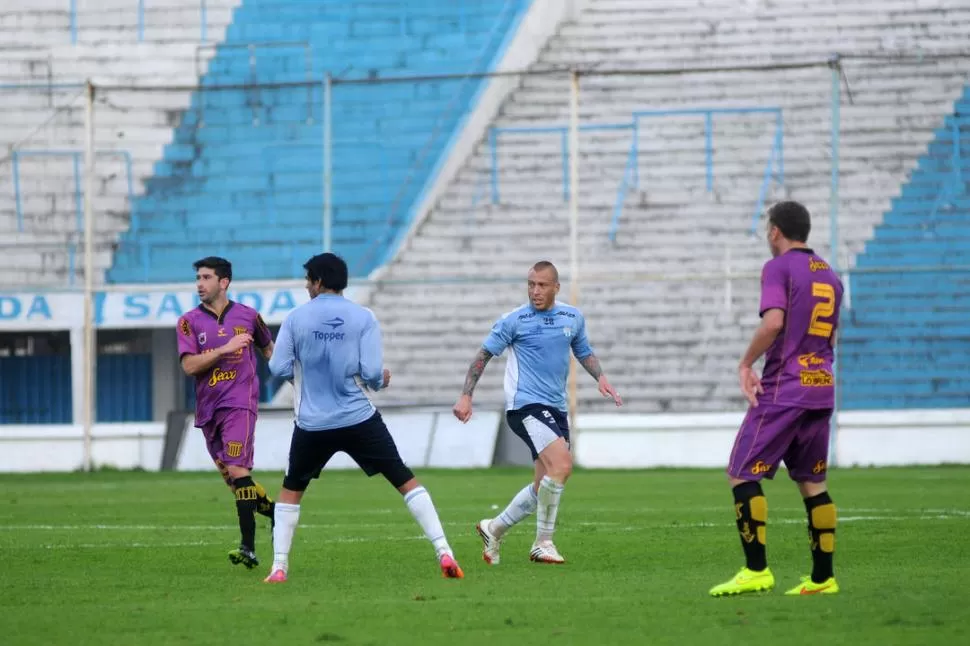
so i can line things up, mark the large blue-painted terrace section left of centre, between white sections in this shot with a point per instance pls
(244, 171)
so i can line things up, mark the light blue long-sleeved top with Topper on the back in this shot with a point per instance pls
(323, 345)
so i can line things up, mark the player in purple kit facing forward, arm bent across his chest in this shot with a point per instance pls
(215, 343)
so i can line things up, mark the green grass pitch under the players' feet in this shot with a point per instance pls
(140, 558)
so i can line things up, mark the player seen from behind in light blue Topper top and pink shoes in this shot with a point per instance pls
(325, 346)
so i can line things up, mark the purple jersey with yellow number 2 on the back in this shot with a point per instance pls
(798, 365)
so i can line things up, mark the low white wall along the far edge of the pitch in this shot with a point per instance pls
(432, 438)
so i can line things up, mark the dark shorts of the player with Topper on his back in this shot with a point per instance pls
(369, 444)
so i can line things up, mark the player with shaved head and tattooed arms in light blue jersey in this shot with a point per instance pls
(539, 337)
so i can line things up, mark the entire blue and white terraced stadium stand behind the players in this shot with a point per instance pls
(174, 165)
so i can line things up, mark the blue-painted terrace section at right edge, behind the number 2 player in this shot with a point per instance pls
(905, 342)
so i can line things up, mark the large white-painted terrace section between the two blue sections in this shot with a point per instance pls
(673, 343)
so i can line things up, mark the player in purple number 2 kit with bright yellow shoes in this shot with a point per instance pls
(790, 404)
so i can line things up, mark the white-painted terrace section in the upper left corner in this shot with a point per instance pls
(42, 120)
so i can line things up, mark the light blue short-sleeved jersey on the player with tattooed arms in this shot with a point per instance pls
(539, 343)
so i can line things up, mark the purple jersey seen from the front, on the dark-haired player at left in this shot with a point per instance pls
(232, 382)
